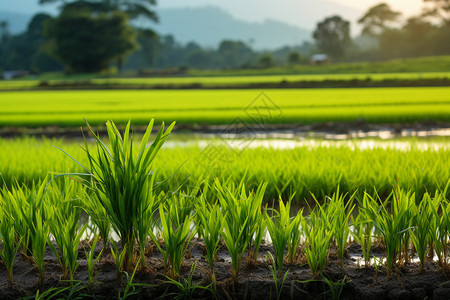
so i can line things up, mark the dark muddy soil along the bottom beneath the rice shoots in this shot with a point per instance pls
(255, 281)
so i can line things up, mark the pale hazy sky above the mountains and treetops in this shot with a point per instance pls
(291, 11)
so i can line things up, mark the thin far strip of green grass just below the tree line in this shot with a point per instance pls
(223, 81)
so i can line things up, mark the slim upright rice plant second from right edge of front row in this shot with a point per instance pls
(421, 235)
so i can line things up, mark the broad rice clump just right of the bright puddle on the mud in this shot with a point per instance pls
(392, 225)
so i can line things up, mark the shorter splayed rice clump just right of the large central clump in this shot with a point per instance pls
(280, 227)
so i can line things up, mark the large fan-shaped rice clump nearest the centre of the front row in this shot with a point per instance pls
(242, 213)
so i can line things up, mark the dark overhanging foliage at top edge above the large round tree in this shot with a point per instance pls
(133, 8)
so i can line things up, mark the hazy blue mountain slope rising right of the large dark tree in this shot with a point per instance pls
(209, 25)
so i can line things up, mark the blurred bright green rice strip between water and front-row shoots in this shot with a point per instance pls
(318, 169)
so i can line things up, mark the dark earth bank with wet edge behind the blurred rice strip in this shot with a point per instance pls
(243, 130)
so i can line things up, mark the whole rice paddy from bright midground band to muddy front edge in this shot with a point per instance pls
(158, 214)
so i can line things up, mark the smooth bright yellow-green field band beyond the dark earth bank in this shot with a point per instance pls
(67, 108)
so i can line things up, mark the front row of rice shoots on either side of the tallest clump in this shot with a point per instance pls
(50, 216)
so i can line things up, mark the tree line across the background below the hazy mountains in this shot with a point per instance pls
(93, 35)
